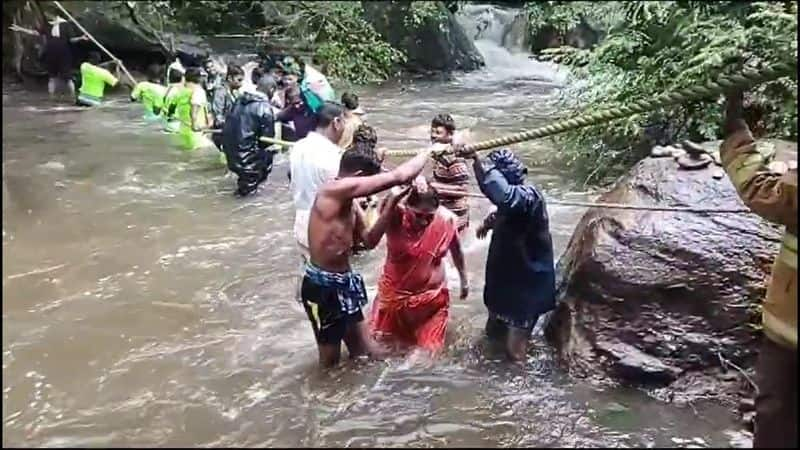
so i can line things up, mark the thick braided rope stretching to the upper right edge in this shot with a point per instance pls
(748, 77)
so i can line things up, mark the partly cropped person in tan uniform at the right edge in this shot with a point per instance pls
(769, 188)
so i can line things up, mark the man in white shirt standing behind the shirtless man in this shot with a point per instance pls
(314, 160)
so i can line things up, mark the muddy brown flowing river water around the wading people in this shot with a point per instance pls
(144, 305)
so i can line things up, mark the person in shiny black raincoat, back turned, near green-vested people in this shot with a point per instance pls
(250, 119)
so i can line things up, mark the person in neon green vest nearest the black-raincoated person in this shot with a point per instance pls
(191, 109)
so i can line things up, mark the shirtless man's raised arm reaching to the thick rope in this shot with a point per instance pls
(357, 187)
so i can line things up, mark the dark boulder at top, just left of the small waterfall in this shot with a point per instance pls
(435, 45)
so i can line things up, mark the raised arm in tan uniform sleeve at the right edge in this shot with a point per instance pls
(770, 193)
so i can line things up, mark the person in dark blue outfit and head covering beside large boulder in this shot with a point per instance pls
(520, 274)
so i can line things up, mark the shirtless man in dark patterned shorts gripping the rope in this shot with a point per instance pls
(331, 293)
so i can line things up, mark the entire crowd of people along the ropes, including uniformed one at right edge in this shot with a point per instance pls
(336, 164)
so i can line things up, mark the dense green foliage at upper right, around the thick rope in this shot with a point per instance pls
(654, 47)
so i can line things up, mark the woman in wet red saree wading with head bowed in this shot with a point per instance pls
(412, 305)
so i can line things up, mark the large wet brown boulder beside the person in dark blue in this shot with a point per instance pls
(665, 298)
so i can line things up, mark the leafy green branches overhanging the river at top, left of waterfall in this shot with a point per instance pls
(333, 34)
